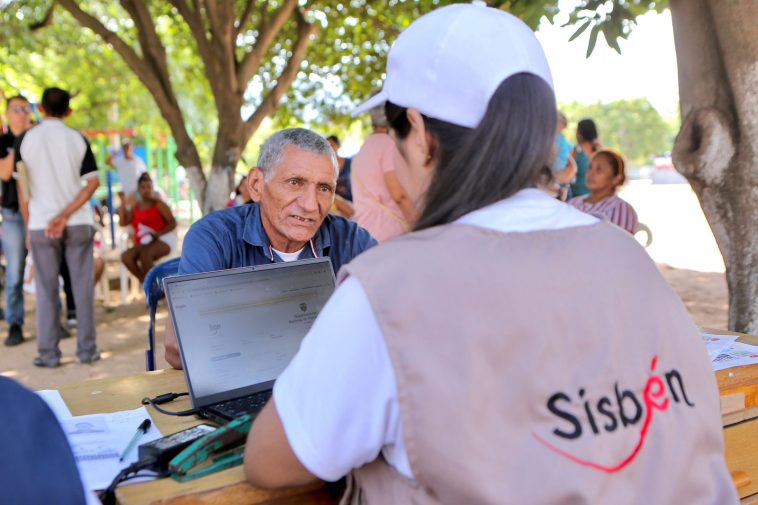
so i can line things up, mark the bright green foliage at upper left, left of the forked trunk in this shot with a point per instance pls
(67, 56)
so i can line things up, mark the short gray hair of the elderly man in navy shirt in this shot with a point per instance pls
(273, 149)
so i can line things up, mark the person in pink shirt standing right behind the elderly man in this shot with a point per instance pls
(382, 206)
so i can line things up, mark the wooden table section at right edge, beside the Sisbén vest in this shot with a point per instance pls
(739, 406)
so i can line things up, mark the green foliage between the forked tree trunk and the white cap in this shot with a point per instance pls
(346, 62)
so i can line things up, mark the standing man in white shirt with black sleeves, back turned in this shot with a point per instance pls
(58, 177)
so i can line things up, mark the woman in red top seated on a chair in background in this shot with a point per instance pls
(154, 226)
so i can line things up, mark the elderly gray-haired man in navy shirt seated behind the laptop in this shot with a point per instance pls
(292, 189)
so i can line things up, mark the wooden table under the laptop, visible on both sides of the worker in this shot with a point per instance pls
(739, 399)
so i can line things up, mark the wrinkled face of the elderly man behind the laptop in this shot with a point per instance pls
(297, 198)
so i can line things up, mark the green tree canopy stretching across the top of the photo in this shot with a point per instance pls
(344, 64)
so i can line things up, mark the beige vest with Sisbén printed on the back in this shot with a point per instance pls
(551, 367)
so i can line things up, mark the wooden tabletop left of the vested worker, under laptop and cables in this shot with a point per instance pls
(225, 487)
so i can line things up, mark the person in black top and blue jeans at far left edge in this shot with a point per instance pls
(18, 112)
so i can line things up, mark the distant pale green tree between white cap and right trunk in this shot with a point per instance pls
(633, 127)
